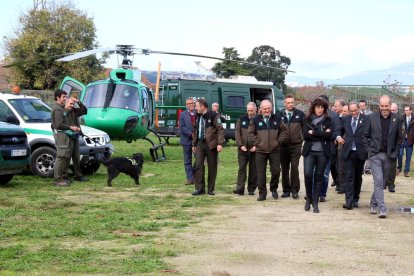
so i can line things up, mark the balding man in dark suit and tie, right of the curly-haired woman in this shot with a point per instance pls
(353, 154)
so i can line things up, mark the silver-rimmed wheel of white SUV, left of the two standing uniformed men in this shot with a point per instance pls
(43, 161)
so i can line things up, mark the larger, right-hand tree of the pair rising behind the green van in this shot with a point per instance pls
(268, 56)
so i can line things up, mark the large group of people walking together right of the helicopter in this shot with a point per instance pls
(342, 141)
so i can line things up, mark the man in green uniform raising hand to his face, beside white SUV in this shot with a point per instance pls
(74, 109)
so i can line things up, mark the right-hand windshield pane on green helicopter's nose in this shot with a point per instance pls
(125, 97)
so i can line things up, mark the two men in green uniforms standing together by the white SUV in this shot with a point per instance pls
(66, 130)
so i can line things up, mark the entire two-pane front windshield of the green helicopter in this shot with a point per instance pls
(124, 96)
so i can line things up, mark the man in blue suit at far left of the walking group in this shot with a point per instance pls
(187, 122)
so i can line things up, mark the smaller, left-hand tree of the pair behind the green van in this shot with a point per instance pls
(226, 69)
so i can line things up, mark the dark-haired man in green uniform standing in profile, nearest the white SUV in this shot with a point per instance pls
(61, 132)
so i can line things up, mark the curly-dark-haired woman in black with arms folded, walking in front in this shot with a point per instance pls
(317, 132)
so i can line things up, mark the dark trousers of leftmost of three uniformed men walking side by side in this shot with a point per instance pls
(246, 158)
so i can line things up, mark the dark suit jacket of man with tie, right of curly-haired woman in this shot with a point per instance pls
(359, 137)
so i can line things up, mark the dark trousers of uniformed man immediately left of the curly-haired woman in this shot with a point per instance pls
(289, 160)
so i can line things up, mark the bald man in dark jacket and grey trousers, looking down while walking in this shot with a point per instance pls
(385, 137)
